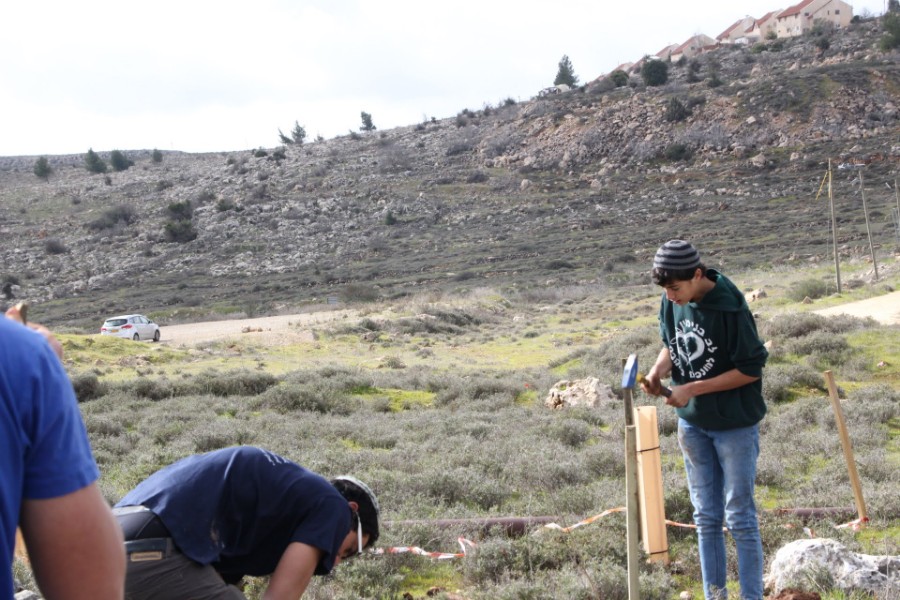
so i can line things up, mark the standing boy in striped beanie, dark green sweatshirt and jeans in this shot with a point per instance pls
(715, 358)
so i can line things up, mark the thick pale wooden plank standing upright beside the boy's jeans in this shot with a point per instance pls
(653, 512)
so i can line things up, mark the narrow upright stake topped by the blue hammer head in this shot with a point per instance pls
(629, 375)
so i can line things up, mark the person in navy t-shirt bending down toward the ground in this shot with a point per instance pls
(196, 527)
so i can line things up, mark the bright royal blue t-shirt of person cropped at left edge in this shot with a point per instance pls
(44, 449)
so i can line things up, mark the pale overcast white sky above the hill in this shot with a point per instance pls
(223, 75)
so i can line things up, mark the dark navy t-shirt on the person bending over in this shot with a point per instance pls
(239, 508)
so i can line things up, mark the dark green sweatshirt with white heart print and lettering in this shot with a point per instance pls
(708, 338)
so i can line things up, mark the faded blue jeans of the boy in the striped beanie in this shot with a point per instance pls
(721, 471)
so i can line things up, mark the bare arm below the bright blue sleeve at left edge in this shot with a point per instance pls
(75, 546)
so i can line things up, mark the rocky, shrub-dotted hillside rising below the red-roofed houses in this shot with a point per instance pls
(575, 188)
